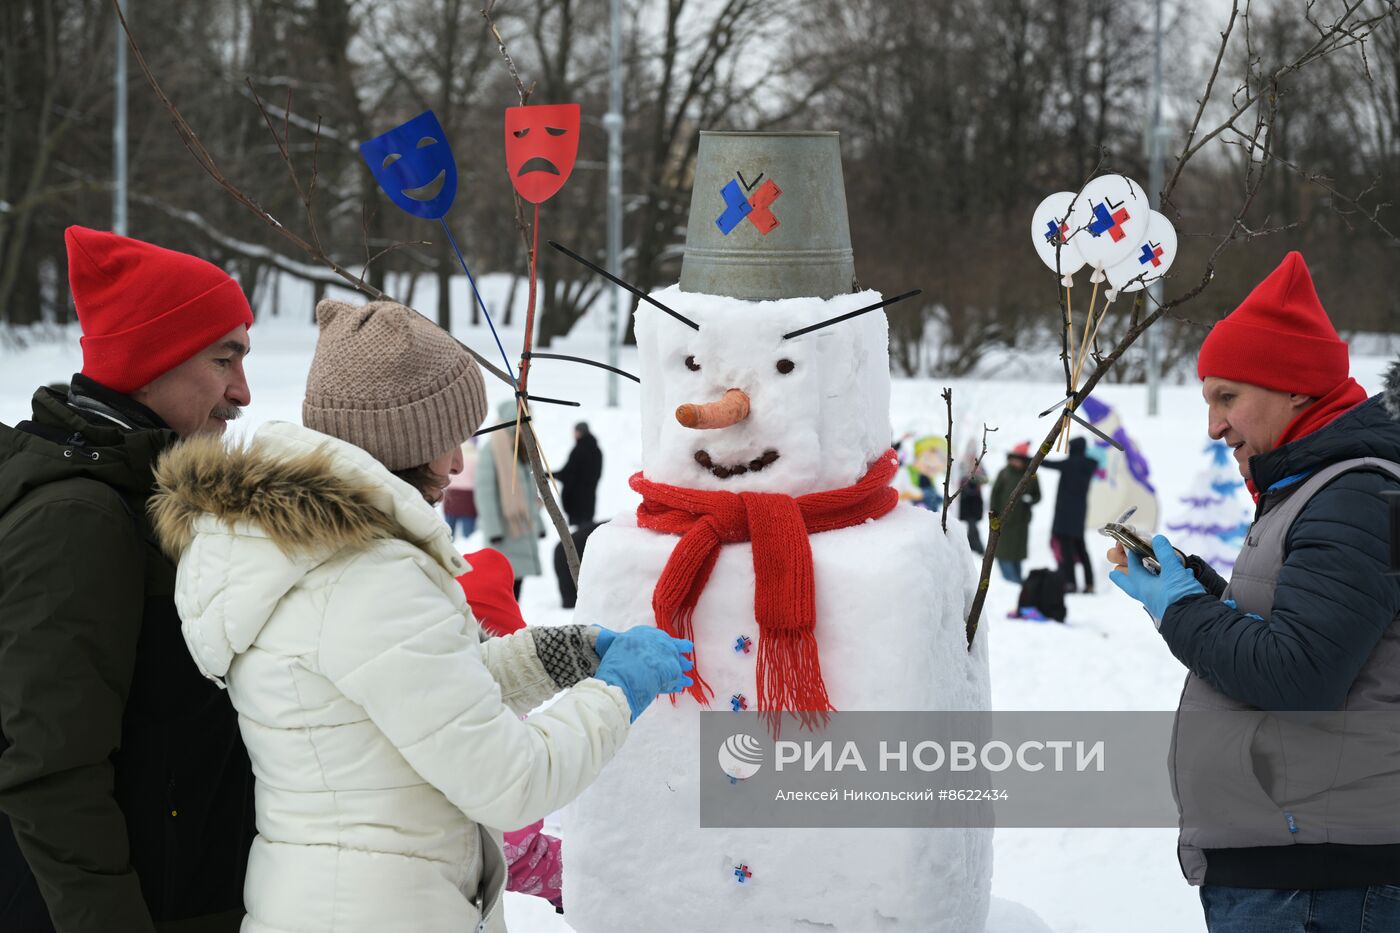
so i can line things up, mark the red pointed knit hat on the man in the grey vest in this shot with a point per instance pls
(1279, 338)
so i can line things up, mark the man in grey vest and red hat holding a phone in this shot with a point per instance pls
(1289, 822)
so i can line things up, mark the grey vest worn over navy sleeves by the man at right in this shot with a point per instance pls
(1247, 778)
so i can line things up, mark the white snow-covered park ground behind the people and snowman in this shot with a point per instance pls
(1107, 658)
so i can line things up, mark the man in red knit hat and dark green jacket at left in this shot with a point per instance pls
(125, 791)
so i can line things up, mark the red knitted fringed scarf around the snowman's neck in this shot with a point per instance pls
(785, 595)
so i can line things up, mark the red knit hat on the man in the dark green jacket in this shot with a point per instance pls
(145, 310)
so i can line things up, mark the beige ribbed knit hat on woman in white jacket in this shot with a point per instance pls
(391, 383)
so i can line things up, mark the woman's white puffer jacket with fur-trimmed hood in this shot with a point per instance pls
(386, 736)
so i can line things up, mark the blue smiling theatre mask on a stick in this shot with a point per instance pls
(415, 167)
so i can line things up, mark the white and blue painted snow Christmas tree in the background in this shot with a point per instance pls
(1216, 515)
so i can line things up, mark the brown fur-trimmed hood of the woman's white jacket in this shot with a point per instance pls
(248, 522)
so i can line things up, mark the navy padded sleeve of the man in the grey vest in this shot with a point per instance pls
(1332, 604)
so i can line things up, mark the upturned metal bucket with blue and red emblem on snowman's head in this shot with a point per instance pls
(768, 218)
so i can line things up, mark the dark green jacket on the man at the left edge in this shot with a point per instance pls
(124, 780)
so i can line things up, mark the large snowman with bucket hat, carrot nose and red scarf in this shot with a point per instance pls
(769, 534)
